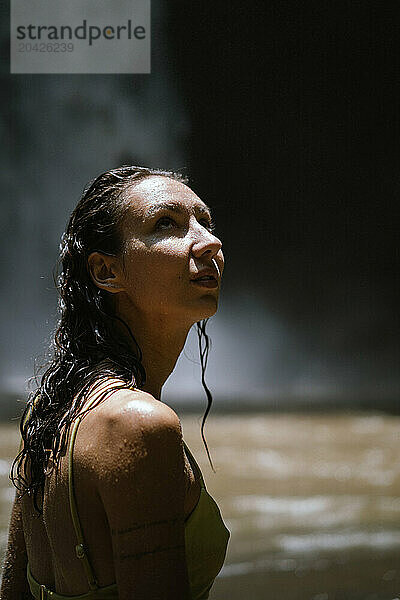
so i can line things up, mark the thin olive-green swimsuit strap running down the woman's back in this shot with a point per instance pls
(80, 548)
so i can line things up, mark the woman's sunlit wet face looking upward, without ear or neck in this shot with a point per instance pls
(168, 243)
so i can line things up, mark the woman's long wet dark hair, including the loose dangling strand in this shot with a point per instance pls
(86, 349)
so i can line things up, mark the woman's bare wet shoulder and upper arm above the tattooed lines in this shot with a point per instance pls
(141, 466)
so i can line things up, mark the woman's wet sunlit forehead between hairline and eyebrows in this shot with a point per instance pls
(154, 193)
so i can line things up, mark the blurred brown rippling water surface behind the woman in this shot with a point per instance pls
(312, 502)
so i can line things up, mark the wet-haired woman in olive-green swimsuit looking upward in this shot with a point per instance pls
(110, 502)
